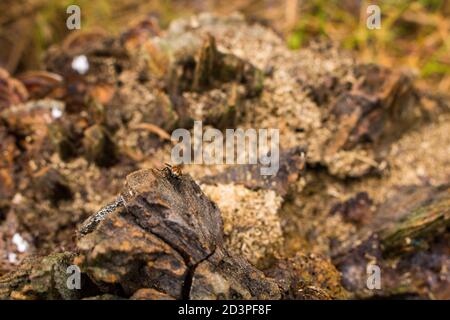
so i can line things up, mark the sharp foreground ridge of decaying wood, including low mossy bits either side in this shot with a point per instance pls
(164, 240)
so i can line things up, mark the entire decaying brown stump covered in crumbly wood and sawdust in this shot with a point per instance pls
(237, 234)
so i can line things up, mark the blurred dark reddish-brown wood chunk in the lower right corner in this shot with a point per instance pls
(417, 233)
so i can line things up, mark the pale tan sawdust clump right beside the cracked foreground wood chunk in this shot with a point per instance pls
(252, 226)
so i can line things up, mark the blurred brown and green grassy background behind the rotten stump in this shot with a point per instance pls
(414, 34)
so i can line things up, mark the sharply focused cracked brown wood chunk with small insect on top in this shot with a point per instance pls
(169, 226)
